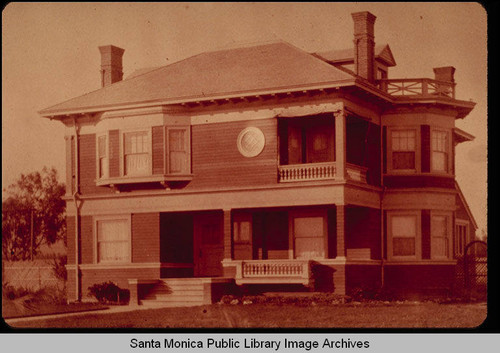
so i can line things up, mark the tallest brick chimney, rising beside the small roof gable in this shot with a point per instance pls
(364, 44)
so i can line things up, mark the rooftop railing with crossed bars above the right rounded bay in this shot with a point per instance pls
(417, 87)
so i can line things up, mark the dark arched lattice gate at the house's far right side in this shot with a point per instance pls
(475, 270)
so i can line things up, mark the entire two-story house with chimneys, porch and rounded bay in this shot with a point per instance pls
(263, 165)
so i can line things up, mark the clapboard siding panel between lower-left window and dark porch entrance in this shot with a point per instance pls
(145, 237)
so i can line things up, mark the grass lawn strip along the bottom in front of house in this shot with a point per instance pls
(402, 315)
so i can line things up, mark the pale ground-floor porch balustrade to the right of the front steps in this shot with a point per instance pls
(268, 271)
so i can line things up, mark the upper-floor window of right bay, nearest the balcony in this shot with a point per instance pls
(403, 145)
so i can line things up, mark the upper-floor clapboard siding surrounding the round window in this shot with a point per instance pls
(218, 163)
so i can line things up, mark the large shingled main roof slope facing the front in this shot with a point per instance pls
(259, 68)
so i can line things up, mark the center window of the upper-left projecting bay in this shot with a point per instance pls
(136, 147)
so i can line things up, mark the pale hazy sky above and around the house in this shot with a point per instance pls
(50, 54)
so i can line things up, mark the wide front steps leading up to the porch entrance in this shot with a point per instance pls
(182, 292)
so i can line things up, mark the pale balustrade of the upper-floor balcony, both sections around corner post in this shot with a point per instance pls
(318, 171)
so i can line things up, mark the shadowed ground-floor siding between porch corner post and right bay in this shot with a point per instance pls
(363, 229)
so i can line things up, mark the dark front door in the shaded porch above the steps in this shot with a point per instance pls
(209, 247)
